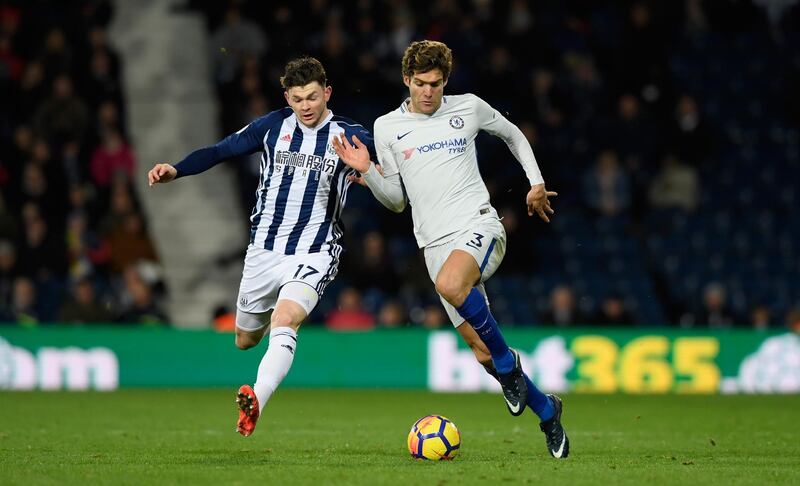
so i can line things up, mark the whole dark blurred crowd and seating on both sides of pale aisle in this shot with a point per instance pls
(668, 129)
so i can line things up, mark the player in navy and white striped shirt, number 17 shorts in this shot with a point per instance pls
(295, 225)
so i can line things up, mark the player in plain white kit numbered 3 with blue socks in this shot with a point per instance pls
(427, 157)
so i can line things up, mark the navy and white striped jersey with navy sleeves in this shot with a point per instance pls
(303, 184)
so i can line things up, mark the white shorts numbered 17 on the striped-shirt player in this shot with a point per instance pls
(266, 272)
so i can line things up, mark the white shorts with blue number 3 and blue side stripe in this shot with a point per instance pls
(485, 241)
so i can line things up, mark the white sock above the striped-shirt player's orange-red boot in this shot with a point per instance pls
(275, 363)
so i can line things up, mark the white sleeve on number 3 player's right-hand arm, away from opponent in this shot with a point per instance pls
(492, 121)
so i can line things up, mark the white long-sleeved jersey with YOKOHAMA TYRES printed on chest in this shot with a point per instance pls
(436, 159)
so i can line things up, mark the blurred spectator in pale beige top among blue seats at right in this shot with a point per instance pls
(676, 185)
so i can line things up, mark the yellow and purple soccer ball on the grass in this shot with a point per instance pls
(434, 438)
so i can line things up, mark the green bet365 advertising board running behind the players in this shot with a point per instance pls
(575, 360)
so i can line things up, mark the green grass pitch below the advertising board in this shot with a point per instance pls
(359, 437)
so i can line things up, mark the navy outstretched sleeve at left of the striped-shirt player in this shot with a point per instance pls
(246, 141)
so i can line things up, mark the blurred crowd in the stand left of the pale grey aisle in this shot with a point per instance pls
(74, 246)
